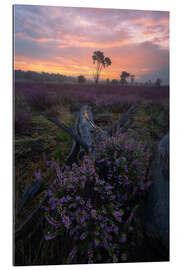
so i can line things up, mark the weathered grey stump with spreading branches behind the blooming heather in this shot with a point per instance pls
(86, 134)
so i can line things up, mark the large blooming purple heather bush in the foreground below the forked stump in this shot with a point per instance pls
(95, 202)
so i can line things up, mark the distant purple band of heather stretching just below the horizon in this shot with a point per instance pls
(43, 95)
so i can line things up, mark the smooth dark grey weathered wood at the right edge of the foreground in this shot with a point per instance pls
(154, 212)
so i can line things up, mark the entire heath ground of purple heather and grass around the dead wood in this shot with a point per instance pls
(77, 225)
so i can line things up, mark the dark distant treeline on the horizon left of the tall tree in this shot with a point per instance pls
(43, 76)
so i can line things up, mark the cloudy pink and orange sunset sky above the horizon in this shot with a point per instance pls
(63, 39)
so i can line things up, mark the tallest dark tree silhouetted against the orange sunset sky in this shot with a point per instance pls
(102, 62)
